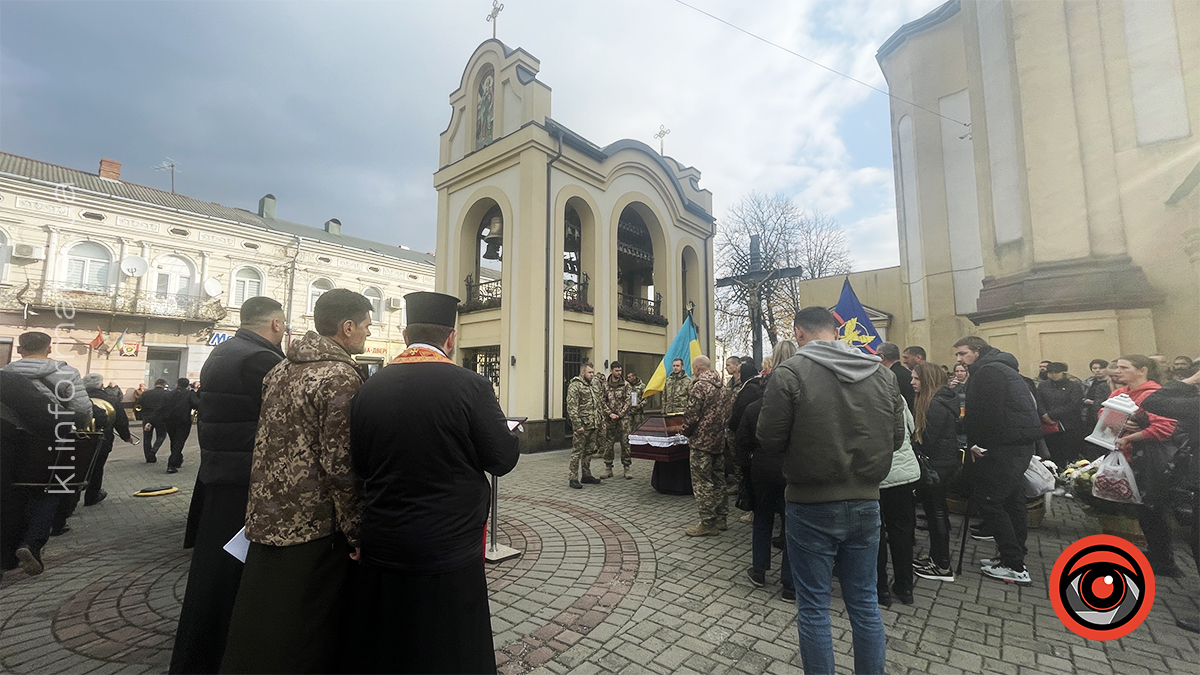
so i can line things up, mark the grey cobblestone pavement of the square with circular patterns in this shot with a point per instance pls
(608, 583)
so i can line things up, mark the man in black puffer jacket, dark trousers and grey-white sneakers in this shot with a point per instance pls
(1003, 428)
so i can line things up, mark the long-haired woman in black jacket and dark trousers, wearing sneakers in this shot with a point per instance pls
(937, 414)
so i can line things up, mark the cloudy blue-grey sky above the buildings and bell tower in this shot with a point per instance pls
(337, 107)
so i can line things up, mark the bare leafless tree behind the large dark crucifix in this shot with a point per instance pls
(790, 237)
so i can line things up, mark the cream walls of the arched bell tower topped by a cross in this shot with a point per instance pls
(533, 172)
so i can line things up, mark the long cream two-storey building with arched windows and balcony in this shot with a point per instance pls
(47, 213)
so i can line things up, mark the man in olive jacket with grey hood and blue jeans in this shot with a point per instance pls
(836, 417)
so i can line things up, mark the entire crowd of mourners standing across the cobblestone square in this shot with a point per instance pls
(364, 499)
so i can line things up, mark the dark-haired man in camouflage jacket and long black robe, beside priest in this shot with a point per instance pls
(305, 501)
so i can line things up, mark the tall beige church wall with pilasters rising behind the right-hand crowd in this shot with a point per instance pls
(1064, 222)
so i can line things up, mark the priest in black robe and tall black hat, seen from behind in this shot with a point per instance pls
(423, 433)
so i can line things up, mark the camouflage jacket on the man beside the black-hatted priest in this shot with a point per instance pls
(302, 485)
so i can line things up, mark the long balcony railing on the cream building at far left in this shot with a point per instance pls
(115, 300)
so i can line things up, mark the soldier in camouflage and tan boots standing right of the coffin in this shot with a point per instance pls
(704, 425)
